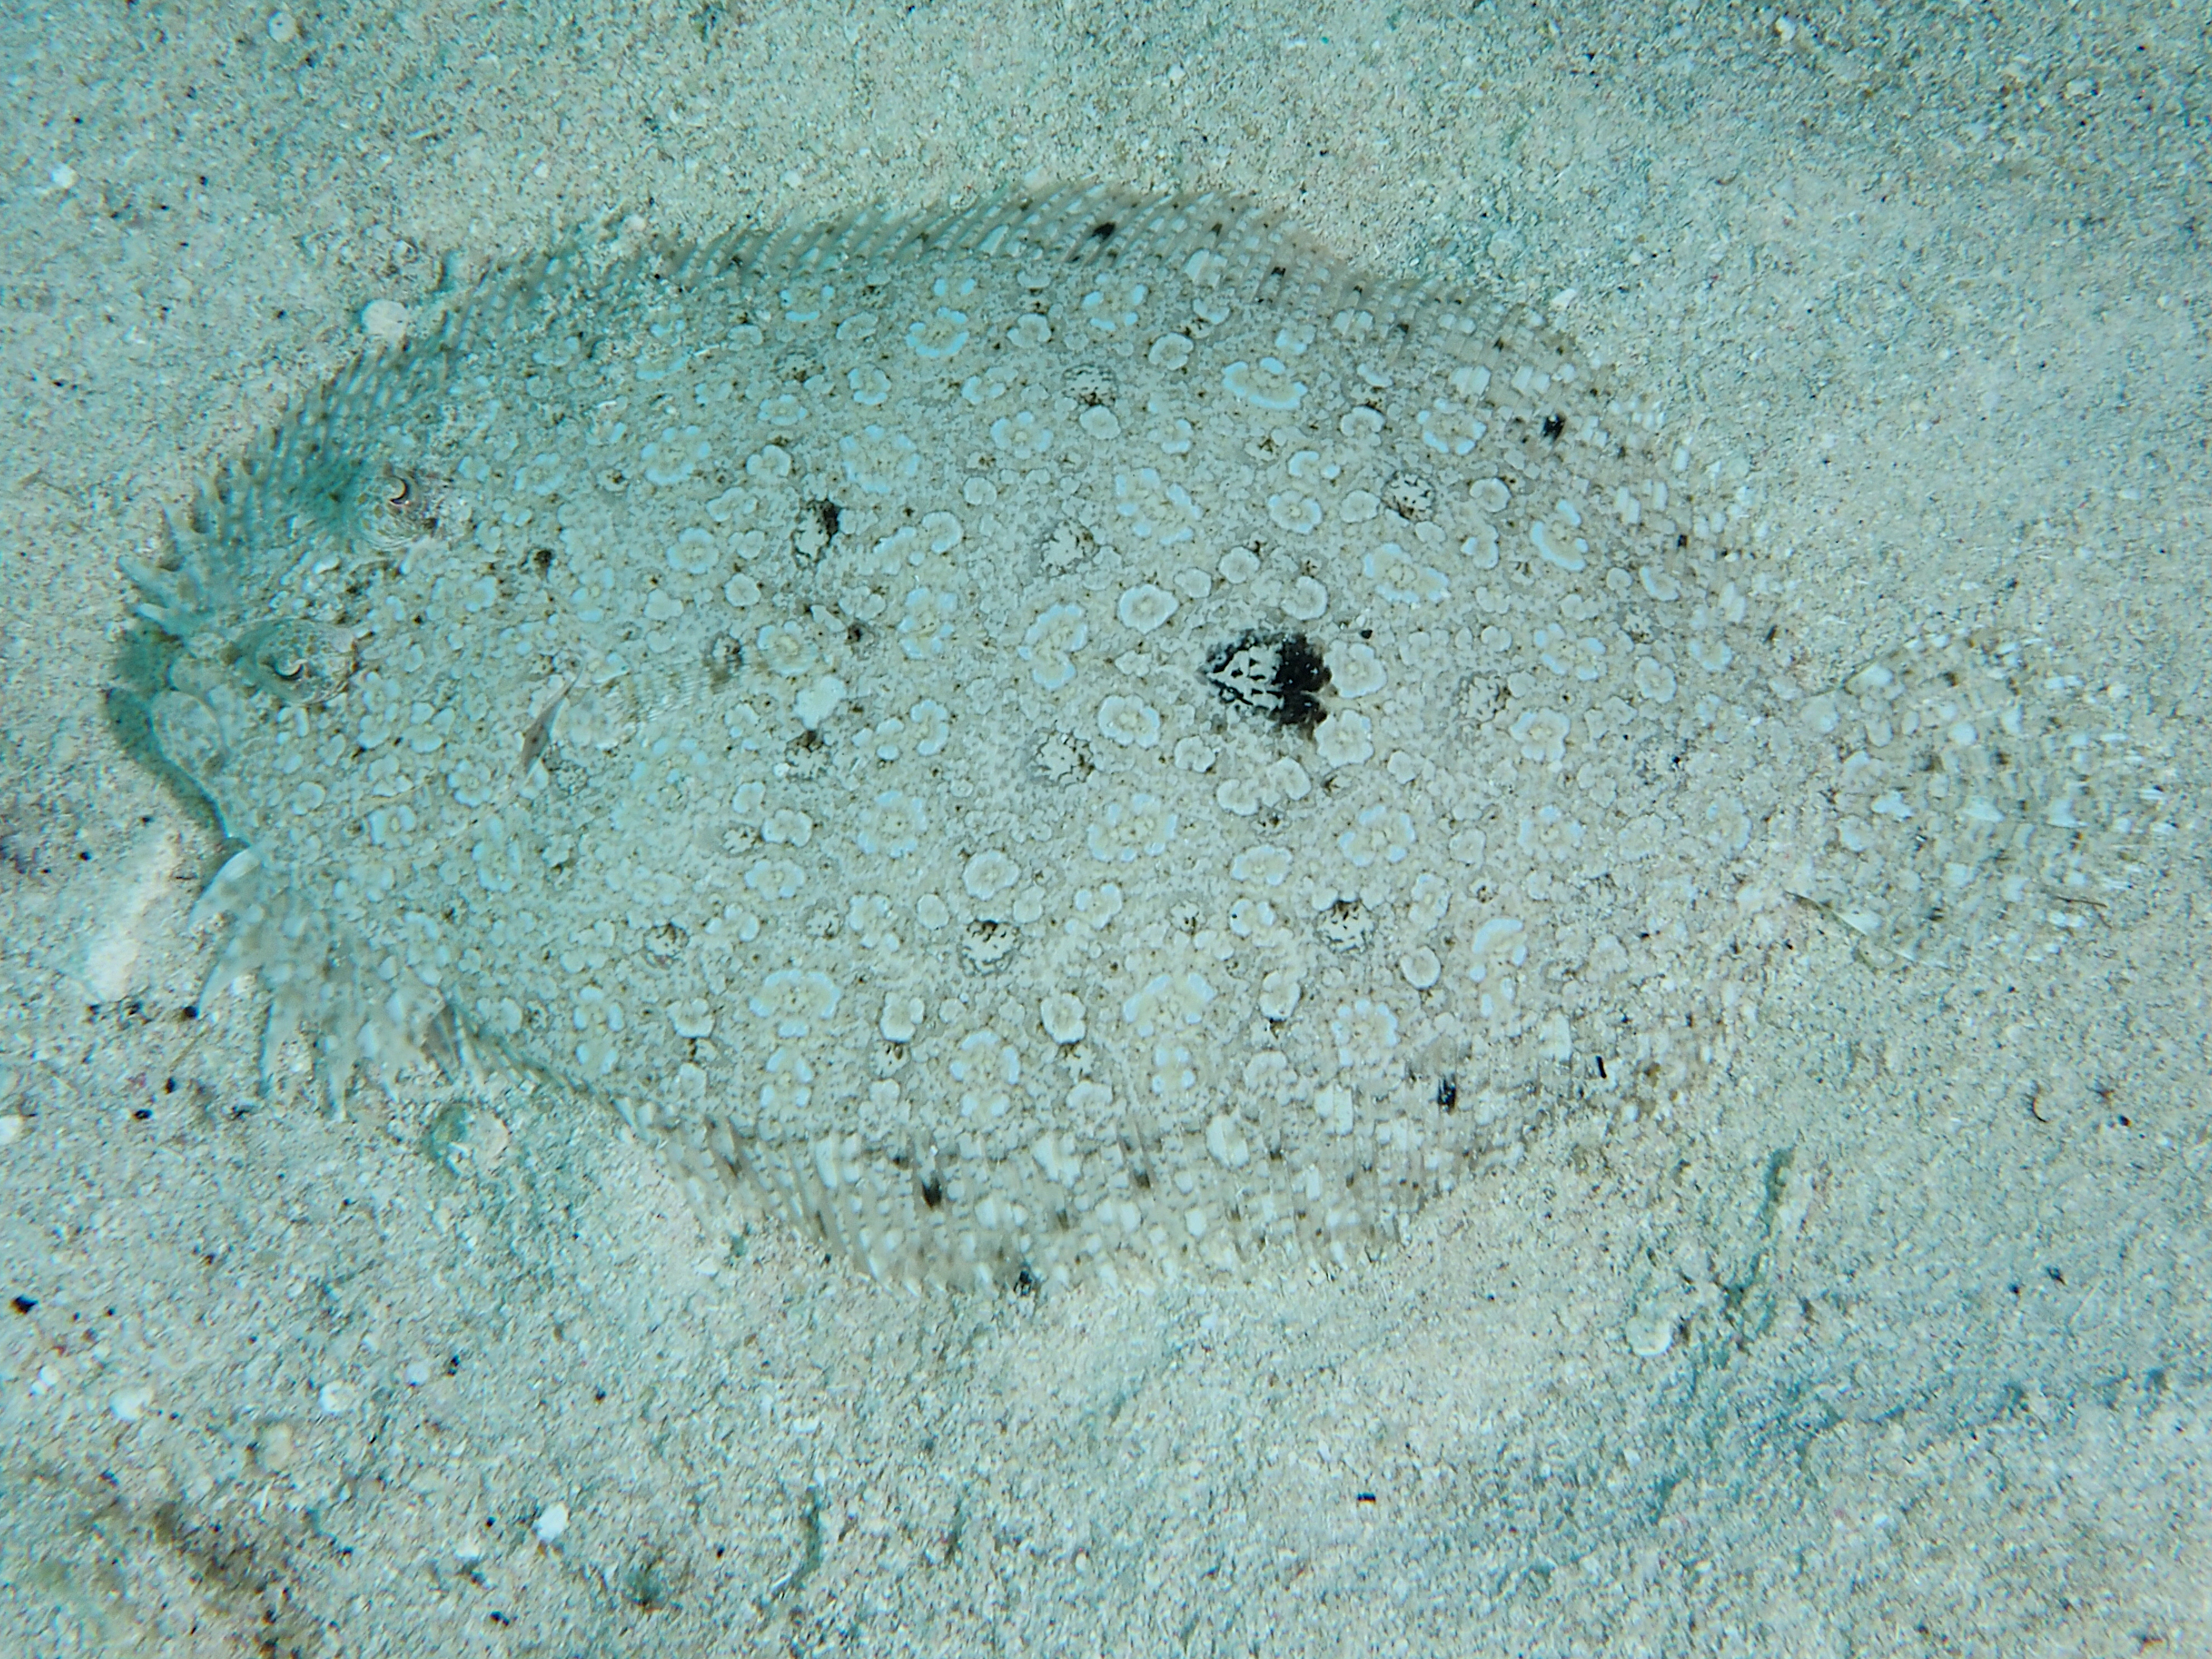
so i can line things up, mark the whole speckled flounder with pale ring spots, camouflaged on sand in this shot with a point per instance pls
(1065, 735)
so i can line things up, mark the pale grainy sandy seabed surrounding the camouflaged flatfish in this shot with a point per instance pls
(1932, 1251)
